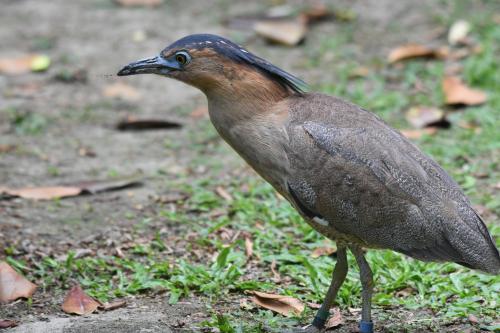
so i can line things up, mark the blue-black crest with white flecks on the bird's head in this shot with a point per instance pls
(237, 53)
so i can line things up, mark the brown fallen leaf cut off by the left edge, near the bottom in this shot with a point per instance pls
(13, 285)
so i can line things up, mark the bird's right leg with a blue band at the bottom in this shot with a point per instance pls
(366, 276)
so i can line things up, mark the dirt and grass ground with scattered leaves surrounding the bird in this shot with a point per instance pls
(122, 186)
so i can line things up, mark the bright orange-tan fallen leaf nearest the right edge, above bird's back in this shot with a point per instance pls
(456, 92)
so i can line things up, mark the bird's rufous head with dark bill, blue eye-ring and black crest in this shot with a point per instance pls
(216, 66)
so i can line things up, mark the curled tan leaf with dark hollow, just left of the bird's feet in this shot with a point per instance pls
(285, 305)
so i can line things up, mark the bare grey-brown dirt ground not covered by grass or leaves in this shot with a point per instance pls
(98, 37)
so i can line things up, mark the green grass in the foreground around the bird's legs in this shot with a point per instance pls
(447, 289)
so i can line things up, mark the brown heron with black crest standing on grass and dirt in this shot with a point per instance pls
(350, 176)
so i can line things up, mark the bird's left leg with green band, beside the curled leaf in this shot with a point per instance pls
(339, 274)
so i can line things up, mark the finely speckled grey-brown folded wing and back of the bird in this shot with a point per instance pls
(368, 181)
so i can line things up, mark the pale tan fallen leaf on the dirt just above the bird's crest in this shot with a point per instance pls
(288, 32)
